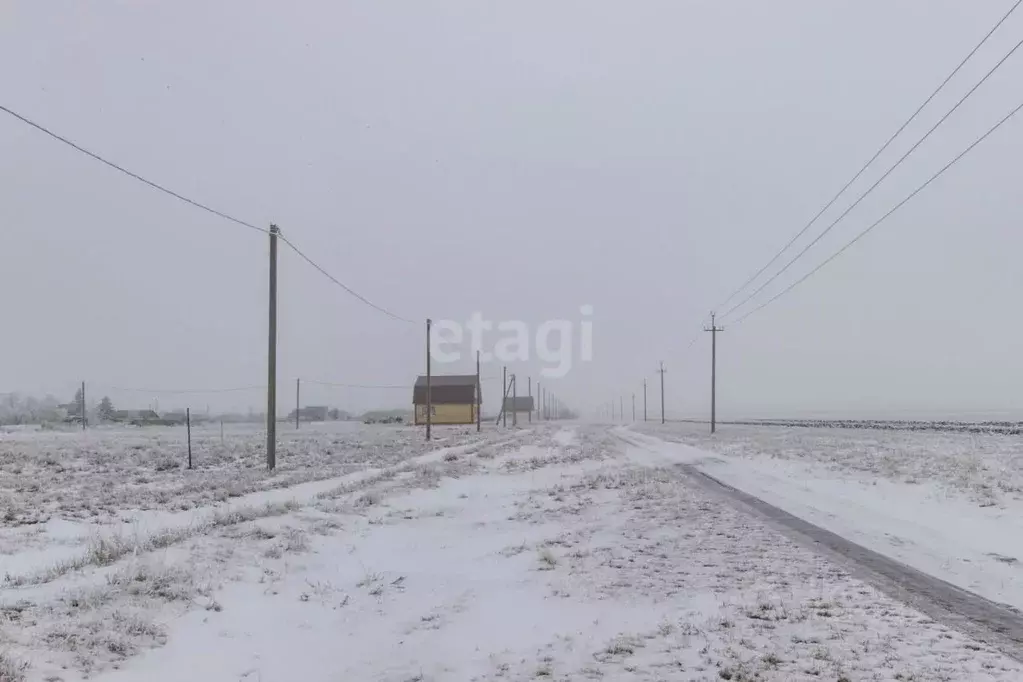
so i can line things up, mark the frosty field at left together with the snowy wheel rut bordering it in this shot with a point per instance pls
(61, 491)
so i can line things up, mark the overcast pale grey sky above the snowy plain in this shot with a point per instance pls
(517, 159)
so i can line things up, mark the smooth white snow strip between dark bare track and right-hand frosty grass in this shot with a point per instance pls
(926, 525)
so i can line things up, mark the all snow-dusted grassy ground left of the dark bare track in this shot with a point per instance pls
(550, 553)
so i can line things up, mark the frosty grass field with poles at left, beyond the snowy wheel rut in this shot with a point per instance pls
(71, 475)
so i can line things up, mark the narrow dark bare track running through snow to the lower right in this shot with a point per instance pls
(996, 624)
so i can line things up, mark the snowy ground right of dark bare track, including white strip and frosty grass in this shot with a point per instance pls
(949, 505)
